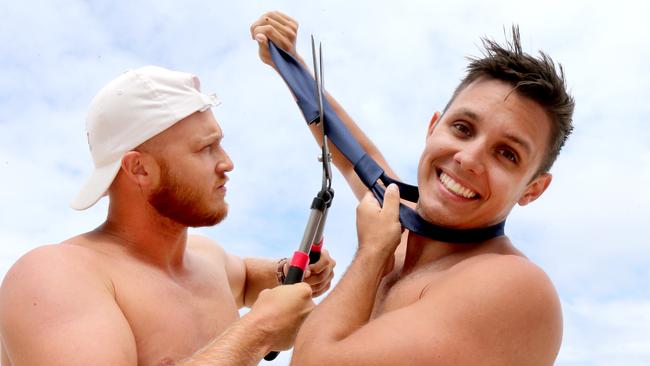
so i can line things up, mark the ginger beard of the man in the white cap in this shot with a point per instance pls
(185, 203)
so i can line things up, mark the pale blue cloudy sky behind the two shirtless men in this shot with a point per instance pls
(391, 64)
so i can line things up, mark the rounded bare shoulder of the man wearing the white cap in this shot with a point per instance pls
(62, 289)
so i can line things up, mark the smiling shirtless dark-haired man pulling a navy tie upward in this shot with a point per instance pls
(412, 300)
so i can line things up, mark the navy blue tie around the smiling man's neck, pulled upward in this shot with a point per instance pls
(303, 88)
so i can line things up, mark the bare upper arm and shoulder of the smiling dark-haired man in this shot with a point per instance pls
(502, 313)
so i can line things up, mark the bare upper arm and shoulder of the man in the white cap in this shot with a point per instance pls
(61, 316)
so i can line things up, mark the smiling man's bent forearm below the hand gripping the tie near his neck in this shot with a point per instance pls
(346, 309)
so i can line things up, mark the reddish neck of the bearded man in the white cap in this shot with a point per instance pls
(147, 235)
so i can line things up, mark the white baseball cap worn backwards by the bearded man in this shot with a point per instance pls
(130, 110)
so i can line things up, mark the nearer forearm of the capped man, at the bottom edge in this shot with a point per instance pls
(242, 344)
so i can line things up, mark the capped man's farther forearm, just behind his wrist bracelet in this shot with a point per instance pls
(260, 275)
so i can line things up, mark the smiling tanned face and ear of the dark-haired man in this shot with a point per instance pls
(491, 140)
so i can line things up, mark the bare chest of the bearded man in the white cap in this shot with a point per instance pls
(172, 319)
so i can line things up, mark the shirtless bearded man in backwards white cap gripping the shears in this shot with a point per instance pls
(138, 290)
